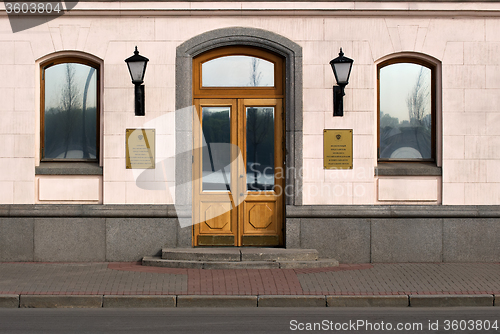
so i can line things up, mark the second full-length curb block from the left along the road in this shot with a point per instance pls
(139, 301)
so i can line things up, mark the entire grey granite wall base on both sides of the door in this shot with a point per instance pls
(350, 234)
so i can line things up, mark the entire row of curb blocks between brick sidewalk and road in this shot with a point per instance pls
(163, 301)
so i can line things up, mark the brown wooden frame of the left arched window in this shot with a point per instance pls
(75, 60)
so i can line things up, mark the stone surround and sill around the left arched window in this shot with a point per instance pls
(68, 168)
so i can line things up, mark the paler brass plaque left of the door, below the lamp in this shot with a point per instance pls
(140, 148)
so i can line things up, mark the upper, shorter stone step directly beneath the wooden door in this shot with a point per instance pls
(237, 254)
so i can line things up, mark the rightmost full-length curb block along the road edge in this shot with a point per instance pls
(451, 300)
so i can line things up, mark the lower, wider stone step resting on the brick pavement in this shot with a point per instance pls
(190, 264)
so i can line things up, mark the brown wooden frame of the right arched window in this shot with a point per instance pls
(433, 68)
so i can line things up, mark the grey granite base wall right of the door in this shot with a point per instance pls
(397, 233)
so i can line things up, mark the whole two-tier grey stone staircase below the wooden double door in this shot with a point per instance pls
(239, 258)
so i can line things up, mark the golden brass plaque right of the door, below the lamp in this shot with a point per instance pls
(337, 149)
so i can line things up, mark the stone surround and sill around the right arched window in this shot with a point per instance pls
(417, 168)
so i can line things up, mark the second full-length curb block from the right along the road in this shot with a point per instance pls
(367, 301)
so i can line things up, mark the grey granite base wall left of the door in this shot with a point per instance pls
(53, 233)
